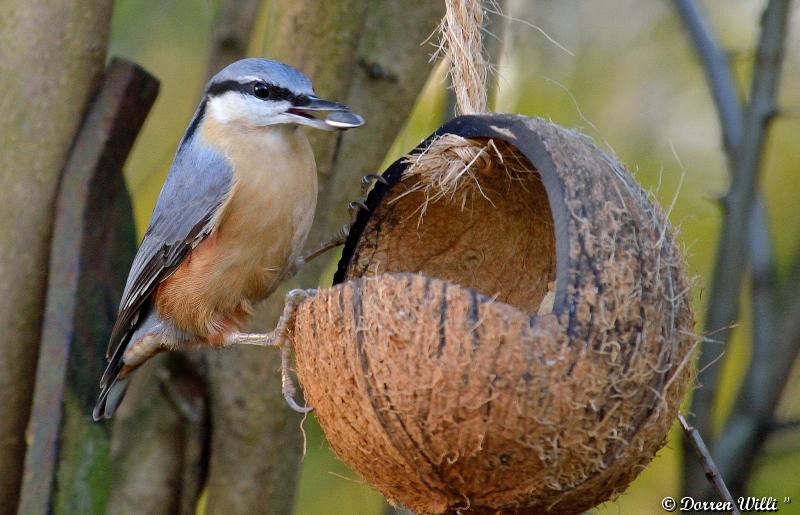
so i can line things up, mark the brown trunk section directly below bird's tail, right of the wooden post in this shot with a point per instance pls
(159, 451)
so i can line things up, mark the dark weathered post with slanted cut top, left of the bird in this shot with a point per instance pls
(93, 244)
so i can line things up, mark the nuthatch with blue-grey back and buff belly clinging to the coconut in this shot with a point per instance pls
(229, 224)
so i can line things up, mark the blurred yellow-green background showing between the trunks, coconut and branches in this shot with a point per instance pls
(633, 84)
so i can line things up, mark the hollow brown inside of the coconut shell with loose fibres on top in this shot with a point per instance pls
(470, 211)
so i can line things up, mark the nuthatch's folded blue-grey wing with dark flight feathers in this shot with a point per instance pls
(198, 183)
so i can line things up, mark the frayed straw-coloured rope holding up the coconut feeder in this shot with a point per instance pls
(463, 46)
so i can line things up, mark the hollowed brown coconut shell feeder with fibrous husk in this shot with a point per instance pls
(510, 326)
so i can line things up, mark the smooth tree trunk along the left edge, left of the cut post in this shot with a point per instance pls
(51, 57)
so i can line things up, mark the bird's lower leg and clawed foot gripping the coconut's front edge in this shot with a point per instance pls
(279, 337)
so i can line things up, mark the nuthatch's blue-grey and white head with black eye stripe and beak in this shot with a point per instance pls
(261, 92)
